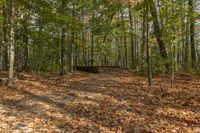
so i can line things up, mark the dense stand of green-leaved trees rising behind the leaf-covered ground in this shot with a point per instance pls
(57, 36)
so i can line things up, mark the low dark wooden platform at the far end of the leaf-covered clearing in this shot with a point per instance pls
(98, 69)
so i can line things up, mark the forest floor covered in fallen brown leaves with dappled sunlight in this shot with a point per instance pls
(100, 103)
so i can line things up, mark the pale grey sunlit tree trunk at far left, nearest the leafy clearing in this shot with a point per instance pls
(11, 49)
